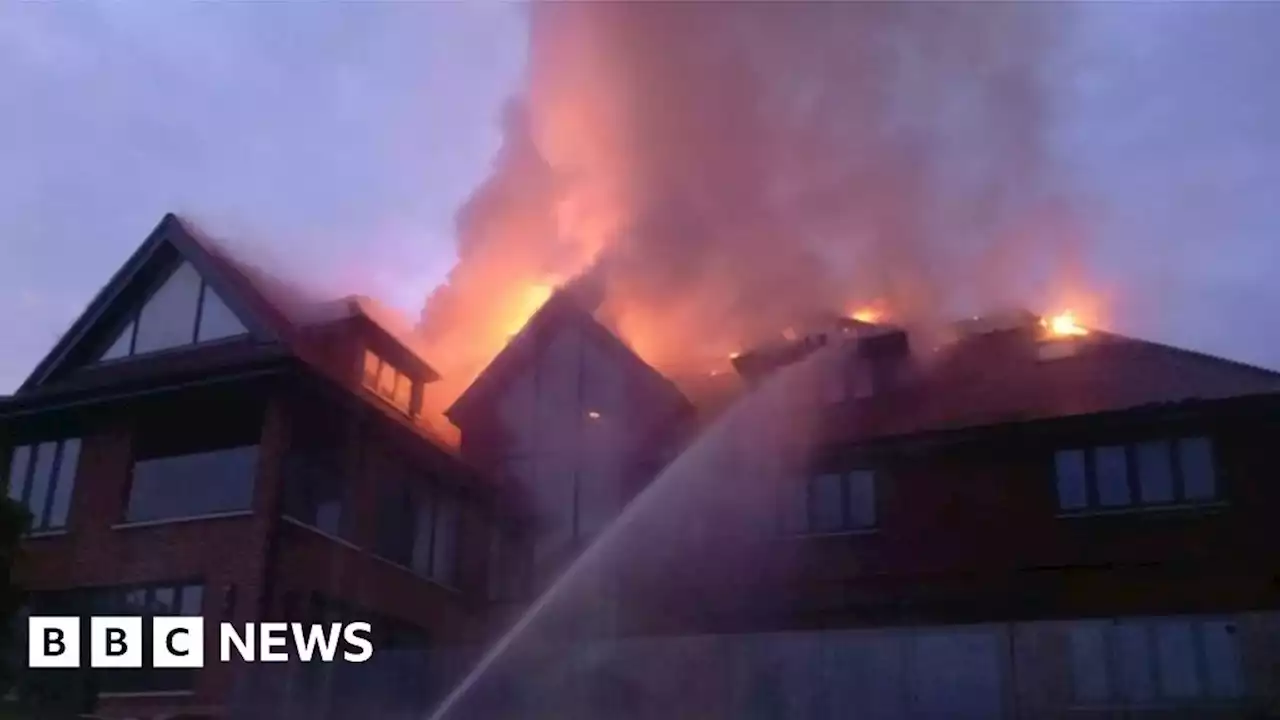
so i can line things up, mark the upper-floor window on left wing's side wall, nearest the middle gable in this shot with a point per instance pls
(418, 527)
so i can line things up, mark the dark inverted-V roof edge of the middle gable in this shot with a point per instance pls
(563, 308)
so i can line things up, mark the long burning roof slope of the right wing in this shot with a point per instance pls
(1000, 377)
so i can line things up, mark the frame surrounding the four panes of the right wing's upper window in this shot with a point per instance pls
(1133, 476)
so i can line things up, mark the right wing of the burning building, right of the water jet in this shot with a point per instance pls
(1018, 523)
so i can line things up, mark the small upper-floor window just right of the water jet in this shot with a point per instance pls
(835, 503)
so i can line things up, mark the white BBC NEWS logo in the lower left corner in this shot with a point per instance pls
(180, 642)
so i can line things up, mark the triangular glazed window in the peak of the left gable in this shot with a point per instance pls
(184, 311)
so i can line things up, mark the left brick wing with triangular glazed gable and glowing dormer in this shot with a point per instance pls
(207, 440)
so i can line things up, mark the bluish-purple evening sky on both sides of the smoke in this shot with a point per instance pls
(341, 138)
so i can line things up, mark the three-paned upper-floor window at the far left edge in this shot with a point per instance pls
(42, 477)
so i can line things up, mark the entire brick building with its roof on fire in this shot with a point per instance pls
(1017, 523)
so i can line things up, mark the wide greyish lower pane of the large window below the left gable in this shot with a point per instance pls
(200, 484)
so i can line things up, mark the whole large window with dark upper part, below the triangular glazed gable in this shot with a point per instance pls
(182, 471)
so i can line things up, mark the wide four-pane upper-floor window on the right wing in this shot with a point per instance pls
(1145, 475)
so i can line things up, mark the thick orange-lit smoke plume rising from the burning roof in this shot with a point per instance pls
(726, 168)
